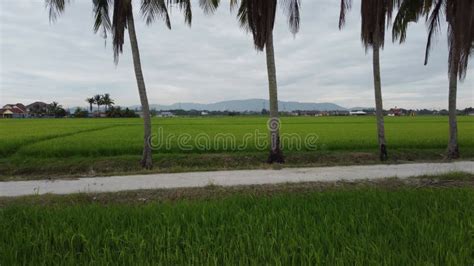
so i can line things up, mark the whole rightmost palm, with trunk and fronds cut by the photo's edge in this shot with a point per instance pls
(459, 16)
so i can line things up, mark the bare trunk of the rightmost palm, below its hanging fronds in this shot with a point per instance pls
(453, 148)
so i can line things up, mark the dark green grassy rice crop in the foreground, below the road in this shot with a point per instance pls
(358, 223)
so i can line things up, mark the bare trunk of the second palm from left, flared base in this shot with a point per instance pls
(276, 155)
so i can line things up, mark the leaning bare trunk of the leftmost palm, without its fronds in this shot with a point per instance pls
(146, 161)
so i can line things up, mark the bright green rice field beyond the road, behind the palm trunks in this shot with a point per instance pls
(82, 146)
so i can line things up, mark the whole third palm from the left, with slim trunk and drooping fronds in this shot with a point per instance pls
(376, 14)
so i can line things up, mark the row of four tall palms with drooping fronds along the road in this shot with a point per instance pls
(258, 18)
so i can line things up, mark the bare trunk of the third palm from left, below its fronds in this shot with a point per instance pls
(379, 104)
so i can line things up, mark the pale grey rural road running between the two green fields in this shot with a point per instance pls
(228, 178)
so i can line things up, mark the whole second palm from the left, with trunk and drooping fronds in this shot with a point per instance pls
(258, 17)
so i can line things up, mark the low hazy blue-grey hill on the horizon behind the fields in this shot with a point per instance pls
(253, 105)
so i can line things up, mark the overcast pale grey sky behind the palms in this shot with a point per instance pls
(214, 60)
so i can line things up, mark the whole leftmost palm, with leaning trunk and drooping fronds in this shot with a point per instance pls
(123, 19)
